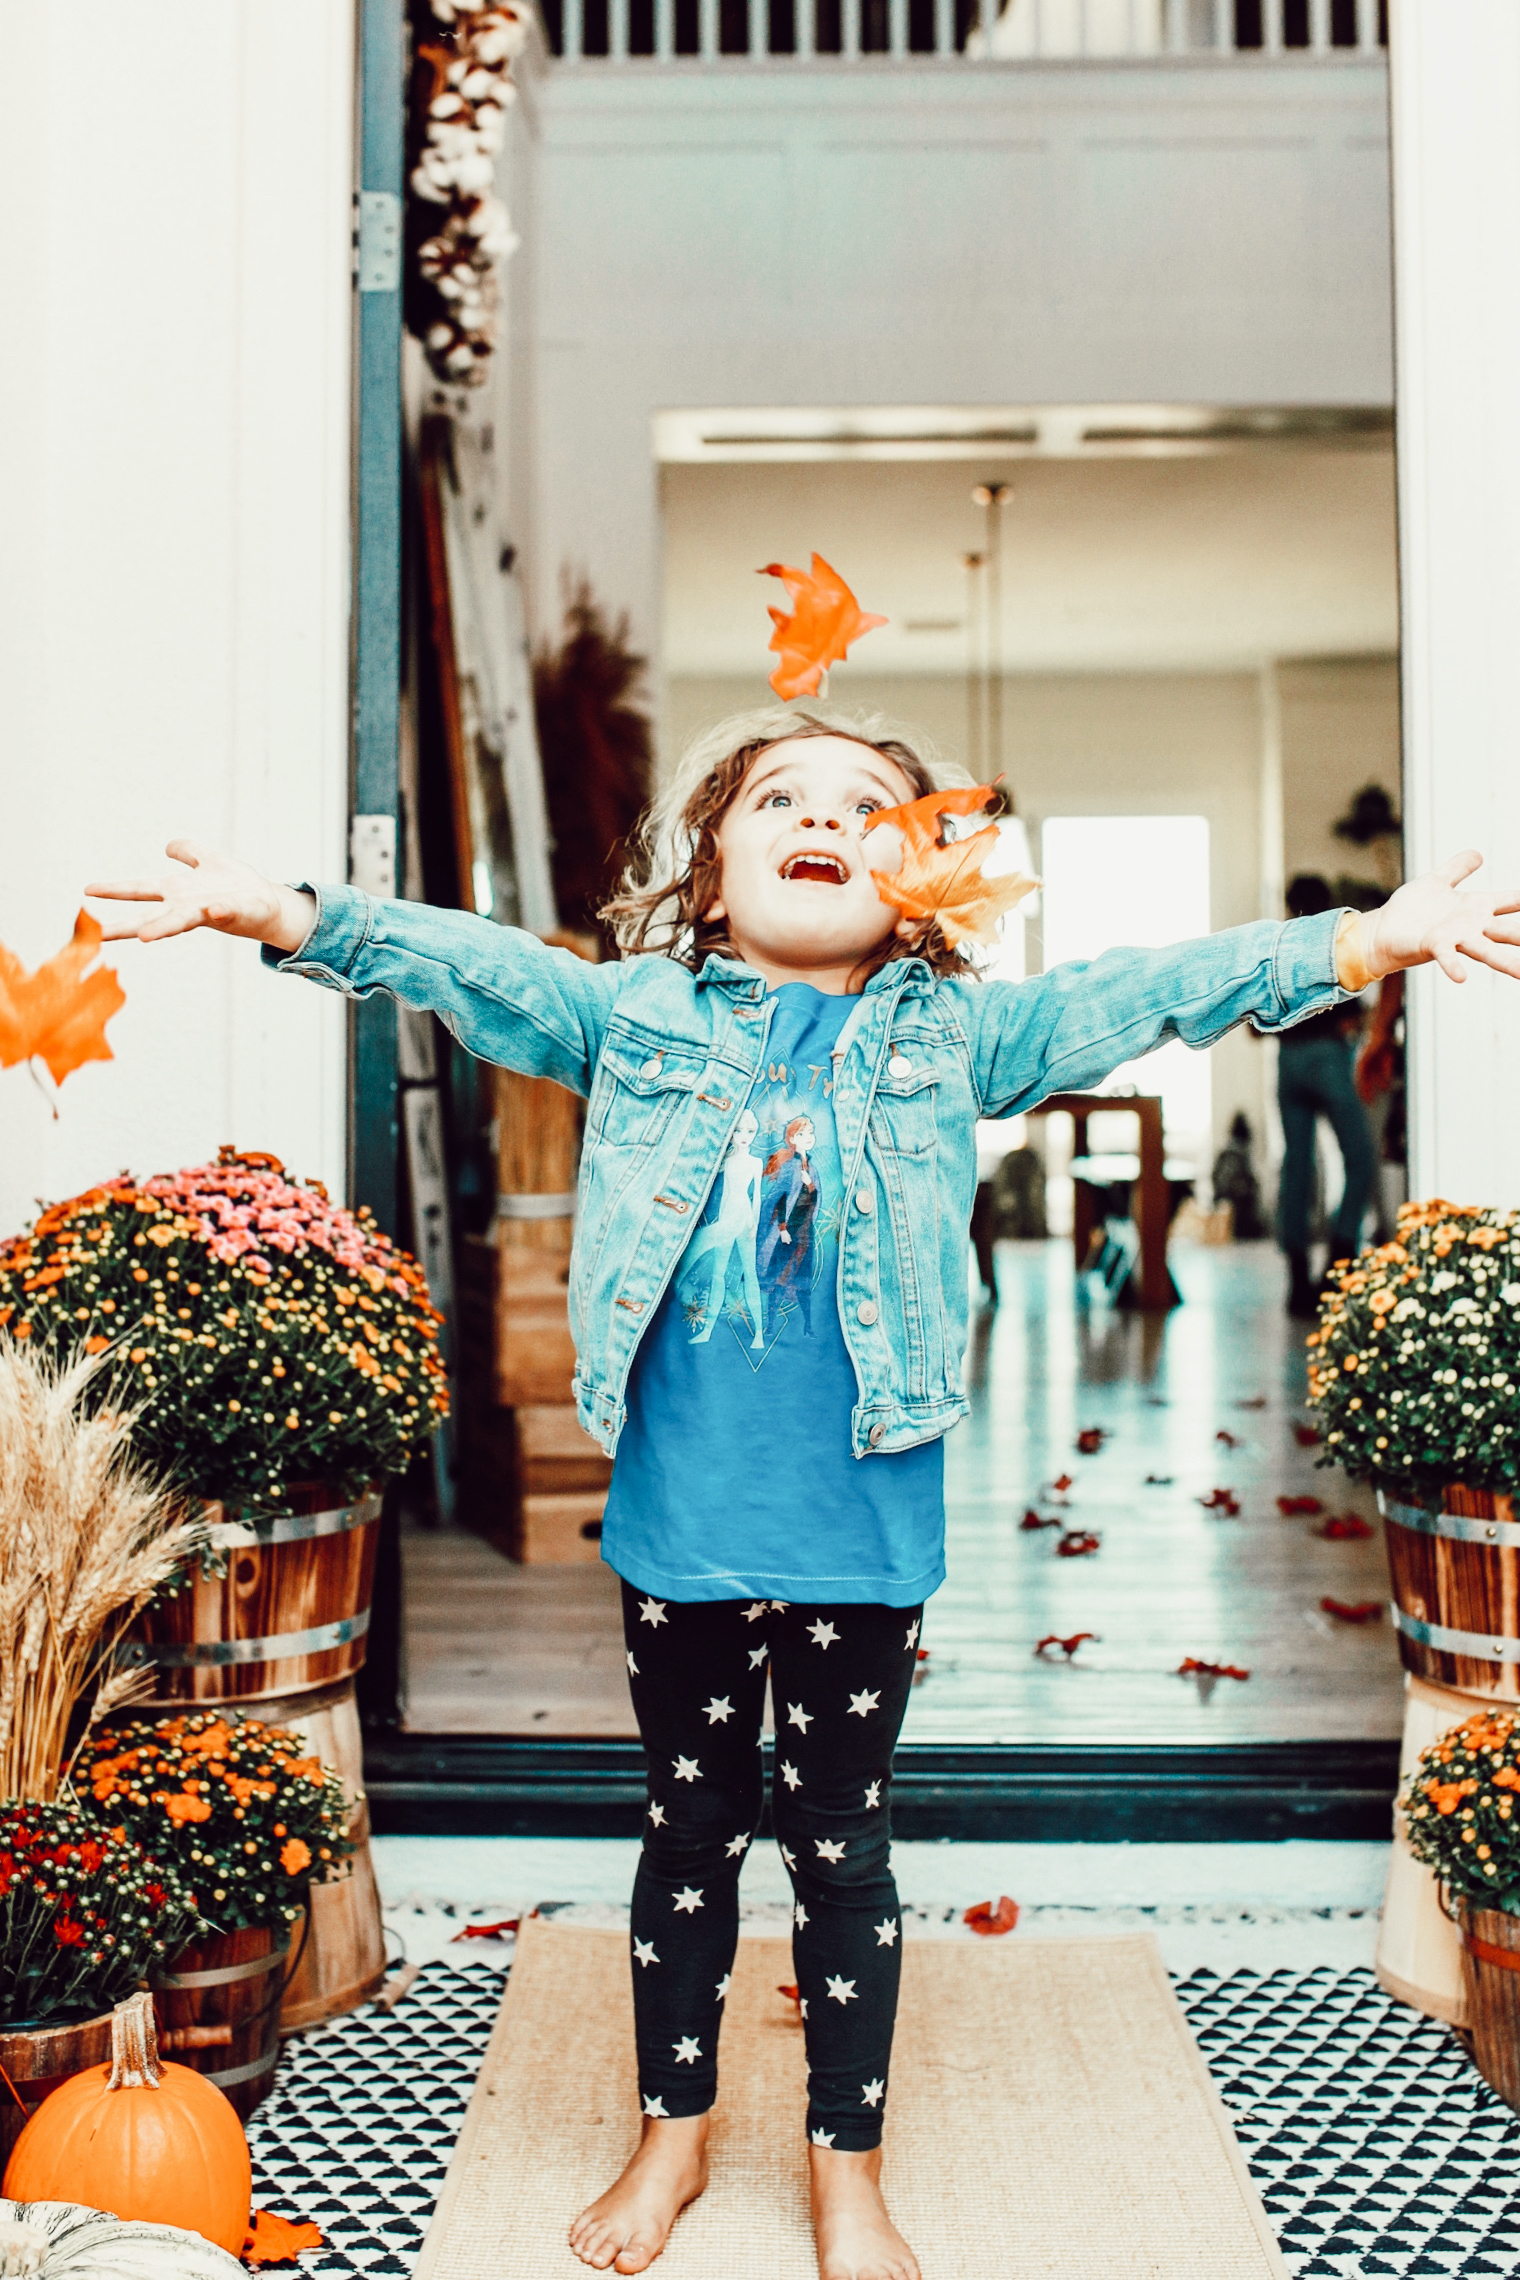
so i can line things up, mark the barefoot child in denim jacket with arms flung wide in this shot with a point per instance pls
(769, 1298)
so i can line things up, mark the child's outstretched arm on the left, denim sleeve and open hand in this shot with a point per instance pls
(505, 993)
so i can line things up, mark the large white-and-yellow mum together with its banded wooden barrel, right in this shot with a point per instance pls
(1414, 1371)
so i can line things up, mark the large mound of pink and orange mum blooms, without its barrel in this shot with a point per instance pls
(263, 1335)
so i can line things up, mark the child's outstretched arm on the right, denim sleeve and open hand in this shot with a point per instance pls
(1068, 1029)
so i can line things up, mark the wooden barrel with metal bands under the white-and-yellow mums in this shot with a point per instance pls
(1457, 1590)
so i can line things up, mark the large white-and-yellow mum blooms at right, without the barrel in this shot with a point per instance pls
(1416, 1362)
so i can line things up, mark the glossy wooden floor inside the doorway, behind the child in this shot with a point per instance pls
(1186, 1406)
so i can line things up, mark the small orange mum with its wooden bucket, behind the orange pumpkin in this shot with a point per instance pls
(250, 1821)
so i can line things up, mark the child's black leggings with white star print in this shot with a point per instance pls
(698, 1681)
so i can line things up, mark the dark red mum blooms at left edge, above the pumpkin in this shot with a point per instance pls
(85, 1914)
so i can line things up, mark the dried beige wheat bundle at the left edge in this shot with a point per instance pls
(85, 1542)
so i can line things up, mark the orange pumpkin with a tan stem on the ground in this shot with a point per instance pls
(140, 2140)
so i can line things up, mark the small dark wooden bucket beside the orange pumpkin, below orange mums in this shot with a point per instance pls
(220, 2012)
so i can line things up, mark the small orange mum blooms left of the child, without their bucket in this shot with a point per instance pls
(240, 1809)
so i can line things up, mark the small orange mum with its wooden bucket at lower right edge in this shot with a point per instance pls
(1462, 1823)
